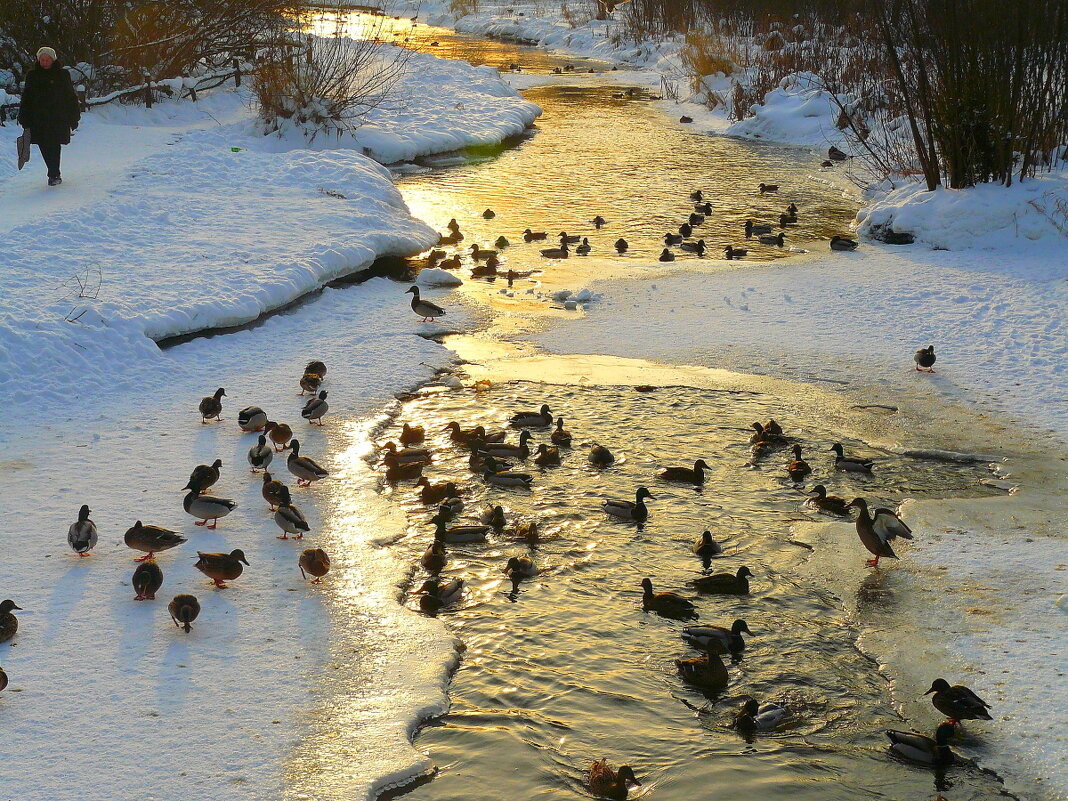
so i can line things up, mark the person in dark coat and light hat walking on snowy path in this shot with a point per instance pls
(50, 109)
